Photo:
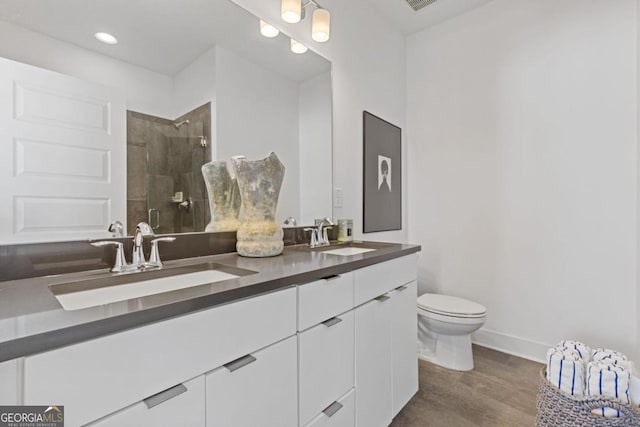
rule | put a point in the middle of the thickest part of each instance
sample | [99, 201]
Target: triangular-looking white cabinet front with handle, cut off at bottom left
[182, 405]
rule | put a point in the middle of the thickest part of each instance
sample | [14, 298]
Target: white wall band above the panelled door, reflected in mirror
[146, 91]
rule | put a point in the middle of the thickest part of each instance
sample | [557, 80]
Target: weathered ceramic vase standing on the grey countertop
[259, 182]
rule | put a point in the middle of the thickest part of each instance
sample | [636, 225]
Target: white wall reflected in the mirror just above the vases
[256, 113]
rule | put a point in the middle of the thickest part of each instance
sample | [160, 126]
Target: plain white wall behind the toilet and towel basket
[522, 118]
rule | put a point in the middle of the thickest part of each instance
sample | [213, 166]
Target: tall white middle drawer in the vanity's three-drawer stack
[326, 357]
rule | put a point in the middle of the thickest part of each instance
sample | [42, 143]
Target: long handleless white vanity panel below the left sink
[101, 376]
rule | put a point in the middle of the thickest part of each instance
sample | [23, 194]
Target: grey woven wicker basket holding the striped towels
[557, 409]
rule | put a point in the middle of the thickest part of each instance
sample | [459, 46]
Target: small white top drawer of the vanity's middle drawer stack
[325, 298]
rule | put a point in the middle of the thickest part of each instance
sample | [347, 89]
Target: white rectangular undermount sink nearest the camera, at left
[95, 292]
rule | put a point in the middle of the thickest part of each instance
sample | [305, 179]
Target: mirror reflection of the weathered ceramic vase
[224, 197]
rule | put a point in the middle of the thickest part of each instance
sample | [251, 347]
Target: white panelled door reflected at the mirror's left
[62, 156]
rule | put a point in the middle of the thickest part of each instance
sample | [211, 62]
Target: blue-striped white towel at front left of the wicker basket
[565, 370]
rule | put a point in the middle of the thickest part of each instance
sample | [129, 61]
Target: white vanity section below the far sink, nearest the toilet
[386, 374]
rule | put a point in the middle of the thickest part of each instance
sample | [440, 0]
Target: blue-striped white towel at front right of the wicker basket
[608, 380]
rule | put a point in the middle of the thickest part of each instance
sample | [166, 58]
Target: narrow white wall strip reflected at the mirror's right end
[315, 136]
